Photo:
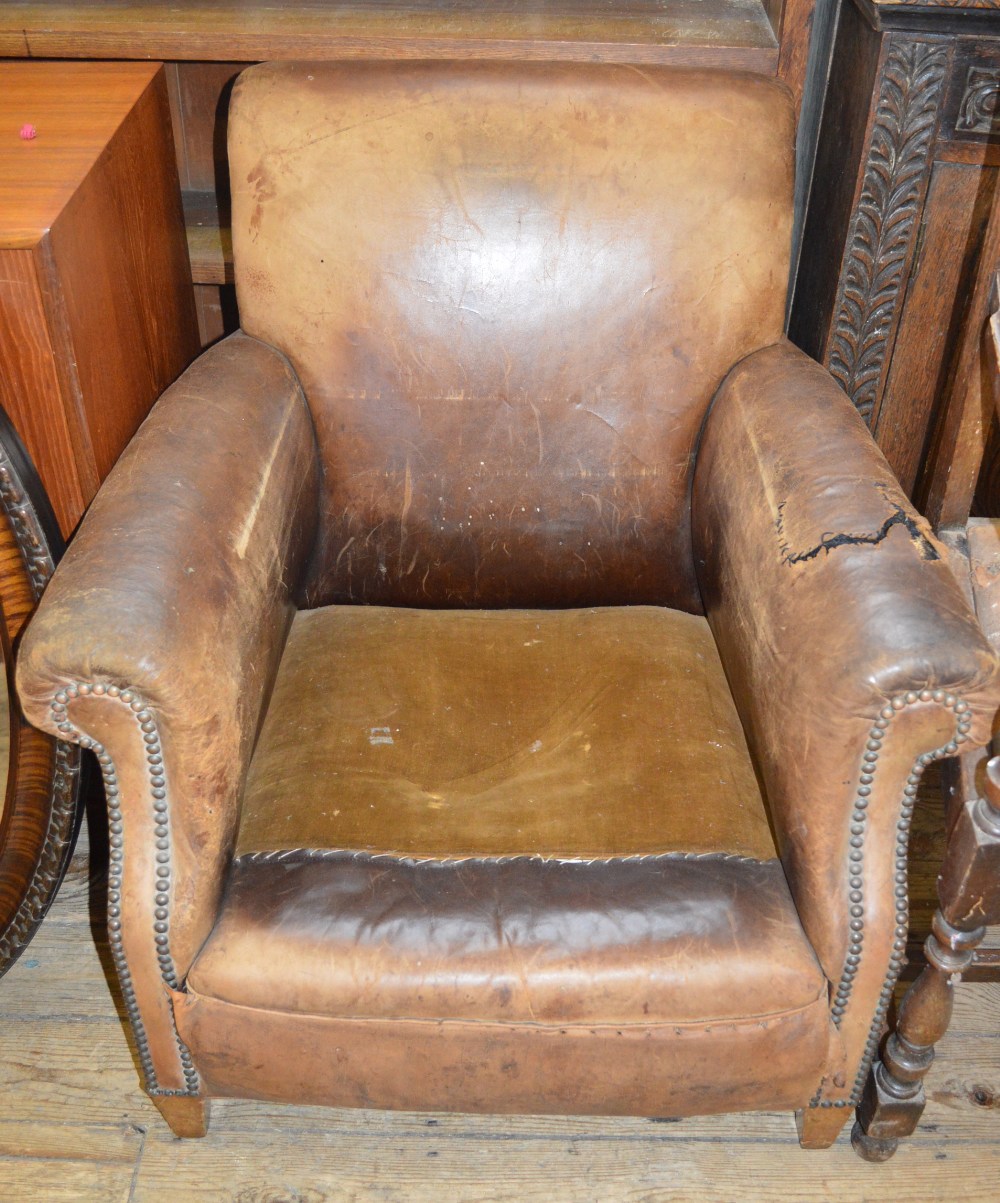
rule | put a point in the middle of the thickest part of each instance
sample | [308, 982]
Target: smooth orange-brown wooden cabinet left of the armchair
[97, 310]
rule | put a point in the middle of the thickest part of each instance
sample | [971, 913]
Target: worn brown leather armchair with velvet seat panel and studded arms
[511, 661]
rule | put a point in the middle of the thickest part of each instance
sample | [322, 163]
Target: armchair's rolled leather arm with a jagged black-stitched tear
[853, 655]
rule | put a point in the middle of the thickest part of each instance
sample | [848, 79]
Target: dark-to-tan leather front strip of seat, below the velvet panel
[659, 941]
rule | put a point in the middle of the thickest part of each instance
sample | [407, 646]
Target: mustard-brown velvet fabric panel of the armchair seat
[581, 733]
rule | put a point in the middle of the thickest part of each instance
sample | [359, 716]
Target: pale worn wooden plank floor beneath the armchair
[75, 1125]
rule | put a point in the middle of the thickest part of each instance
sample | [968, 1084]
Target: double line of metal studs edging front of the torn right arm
[856, 863]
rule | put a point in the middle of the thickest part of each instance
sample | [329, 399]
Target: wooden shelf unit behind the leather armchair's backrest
[206, 44]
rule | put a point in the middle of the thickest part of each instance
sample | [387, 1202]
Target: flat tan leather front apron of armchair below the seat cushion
[528, 1069]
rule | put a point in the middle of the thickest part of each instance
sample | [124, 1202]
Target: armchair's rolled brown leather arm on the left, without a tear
[159, 636]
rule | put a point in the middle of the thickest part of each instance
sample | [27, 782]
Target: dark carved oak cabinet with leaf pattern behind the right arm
[901, 199]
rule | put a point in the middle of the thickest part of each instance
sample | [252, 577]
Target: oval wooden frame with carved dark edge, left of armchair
[42, 809]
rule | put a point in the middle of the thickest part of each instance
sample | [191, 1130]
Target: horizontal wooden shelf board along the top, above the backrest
[696, 33]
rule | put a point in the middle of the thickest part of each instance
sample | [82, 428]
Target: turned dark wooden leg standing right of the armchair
[969, 893]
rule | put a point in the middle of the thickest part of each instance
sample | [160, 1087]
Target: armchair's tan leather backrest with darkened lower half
[510, 292]
